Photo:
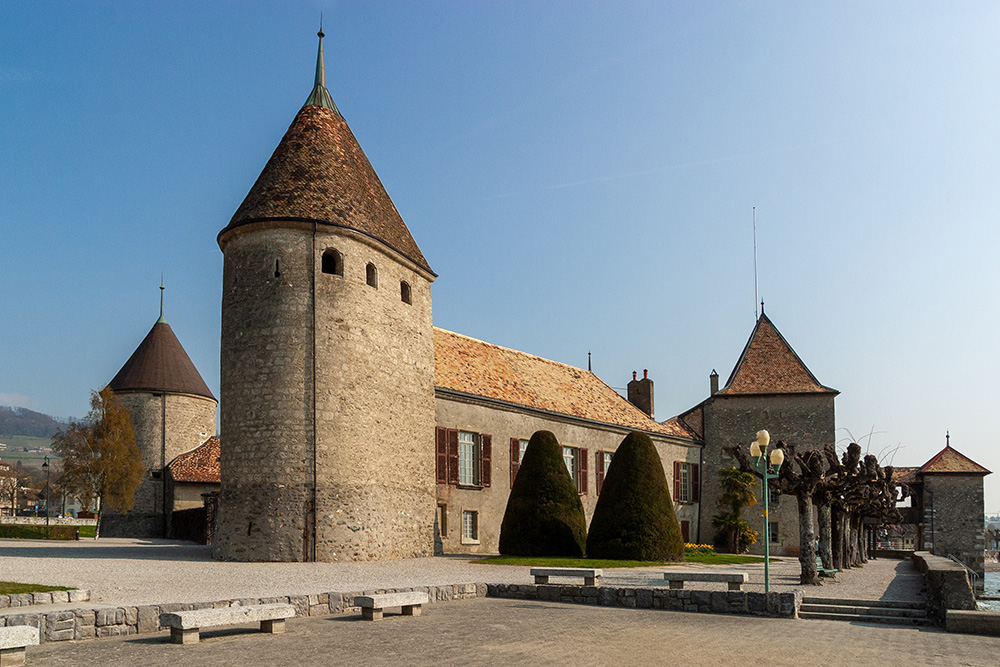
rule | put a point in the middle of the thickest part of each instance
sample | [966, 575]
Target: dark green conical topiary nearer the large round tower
[544, 514]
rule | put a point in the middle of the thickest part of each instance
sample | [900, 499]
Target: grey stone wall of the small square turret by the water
[953, 520]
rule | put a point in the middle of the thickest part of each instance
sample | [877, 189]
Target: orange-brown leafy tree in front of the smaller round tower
[101, 461]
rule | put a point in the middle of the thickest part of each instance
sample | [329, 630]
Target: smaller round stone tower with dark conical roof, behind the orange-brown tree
[173, 411]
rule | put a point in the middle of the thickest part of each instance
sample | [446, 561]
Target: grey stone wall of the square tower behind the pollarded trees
[805, 421]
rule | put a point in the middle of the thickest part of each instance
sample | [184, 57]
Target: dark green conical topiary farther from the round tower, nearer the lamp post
[634, 518]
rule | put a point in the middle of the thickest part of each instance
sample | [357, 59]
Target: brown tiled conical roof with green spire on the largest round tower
[319, 174]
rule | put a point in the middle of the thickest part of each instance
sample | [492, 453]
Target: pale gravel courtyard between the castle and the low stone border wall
[134, 572]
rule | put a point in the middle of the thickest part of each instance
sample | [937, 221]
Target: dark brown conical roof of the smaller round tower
[160, 364]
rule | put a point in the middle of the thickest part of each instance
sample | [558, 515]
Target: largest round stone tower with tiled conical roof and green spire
[327, 362]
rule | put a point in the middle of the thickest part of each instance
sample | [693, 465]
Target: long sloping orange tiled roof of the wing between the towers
[473, 367]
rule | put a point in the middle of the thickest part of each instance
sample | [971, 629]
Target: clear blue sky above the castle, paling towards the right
[581, 175]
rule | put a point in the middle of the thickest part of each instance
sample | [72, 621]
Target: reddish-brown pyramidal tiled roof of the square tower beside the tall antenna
[769, 365]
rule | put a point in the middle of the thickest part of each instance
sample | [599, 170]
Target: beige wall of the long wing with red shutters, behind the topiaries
[504, 422]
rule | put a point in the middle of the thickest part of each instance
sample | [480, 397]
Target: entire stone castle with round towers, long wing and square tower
[353, 429]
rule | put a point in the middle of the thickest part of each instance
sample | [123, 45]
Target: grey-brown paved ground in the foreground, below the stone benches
[490, 631]
